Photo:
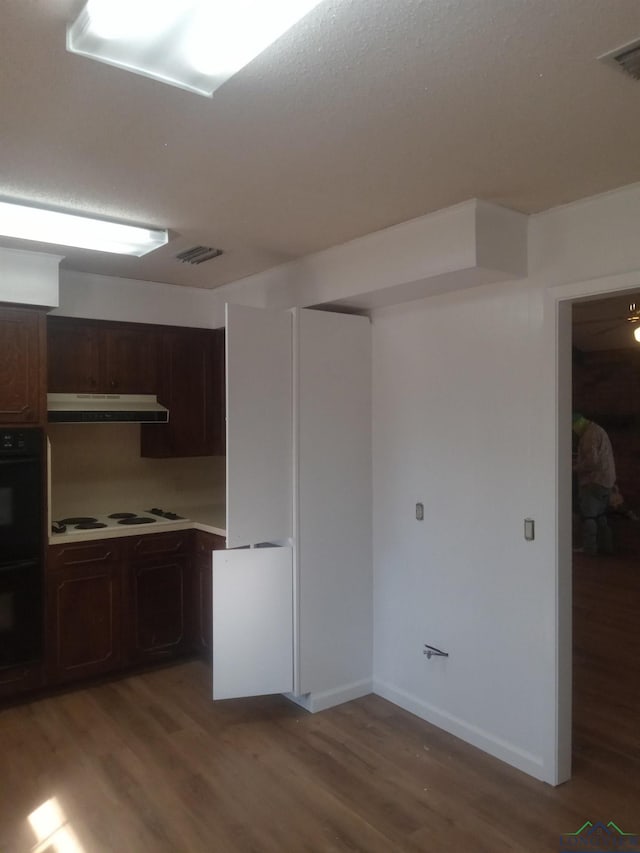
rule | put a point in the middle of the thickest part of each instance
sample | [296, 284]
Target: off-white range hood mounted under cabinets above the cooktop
[106, 409]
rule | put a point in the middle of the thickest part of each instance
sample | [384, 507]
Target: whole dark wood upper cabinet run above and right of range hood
[183, 367]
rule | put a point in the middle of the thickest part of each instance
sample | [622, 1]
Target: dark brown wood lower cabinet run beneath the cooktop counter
[114, 603]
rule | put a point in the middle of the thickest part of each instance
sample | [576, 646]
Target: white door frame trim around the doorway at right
[558, 339]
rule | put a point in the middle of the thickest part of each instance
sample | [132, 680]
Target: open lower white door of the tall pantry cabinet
[252, 622]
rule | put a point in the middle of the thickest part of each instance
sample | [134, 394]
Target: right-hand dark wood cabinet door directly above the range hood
[131, 356]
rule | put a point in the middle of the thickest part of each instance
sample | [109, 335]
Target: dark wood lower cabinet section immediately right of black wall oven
[84, 611]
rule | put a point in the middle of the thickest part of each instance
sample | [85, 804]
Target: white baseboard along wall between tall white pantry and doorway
[499, 748]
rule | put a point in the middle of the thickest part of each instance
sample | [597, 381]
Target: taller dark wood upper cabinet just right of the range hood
[192, 388]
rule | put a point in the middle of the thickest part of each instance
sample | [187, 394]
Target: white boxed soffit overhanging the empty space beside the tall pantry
[468, 245]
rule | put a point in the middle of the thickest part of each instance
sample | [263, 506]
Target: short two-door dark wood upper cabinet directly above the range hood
[90, 356]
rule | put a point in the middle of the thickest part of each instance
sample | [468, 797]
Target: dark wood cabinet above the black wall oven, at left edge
[22, 363]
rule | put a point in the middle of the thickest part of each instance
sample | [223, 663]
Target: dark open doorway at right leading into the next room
[606, 589]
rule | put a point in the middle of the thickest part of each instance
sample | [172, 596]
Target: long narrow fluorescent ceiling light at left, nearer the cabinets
[70, 229]
